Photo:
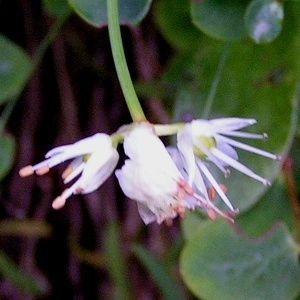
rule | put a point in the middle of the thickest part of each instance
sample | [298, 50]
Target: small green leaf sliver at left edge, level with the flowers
[7, 153]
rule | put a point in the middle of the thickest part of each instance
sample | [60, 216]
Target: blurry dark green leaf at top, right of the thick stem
[174, 22]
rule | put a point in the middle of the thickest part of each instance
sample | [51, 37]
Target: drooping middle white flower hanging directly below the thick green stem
[151, 178]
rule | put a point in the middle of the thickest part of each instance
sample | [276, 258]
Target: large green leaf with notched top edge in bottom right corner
[219, 264]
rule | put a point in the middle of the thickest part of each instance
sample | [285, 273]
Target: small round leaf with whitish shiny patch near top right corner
[264, 20]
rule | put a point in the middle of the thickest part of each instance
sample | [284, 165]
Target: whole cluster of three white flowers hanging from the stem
[164, 184]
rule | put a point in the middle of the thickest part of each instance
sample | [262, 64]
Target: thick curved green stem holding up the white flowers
[131, 98]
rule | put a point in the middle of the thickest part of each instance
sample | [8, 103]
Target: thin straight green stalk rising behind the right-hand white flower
[216, 81]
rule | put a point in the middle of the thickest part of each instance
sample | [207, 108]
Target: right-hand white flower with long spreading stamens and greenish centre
[203, 140]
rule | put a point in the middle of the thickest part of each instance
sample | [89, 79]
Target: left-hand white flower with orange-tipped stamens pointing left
[94, 158]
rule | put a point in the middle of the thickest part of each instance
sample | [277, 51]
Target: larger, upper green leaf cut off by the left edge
[15, 67]
